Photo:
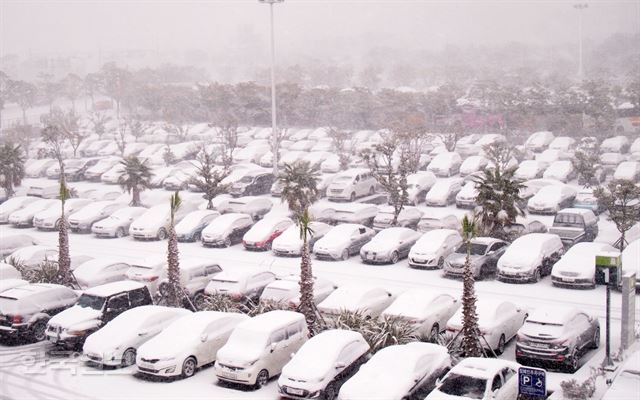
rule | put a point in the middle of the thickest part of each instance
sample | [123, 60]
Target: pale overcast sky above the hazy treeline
[67, 26]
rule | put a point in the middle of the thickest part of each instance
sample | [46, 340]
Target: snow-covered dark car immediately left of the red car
[226, 230]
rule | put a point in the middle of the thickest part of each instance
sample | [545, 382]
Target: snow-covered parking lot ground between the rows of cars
[28, 371]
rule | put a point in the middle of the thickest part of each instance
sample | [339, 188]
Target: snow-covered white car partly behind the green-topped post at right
[577, 268]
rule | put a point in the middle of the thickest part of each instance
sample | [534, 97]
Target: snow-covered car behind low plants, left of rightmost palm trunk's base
[428, 311]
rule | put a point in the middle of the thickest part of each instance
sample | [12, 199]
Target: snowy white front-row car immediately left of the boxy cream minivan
[190, 342]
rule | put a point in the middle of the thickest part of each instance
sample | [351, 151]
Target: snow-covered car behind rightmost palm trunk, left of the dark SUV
[498, 321]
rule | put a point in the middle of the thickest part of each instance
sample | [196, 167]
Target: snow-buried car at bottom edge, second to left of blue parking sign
[398, 372]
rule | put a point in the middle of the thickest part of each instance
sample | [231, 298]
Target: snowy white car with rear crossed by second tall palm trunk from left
[154, 223]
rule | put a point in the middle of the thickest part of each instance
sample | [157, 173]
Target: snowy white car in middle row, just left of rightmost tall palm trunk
[433, 247]
